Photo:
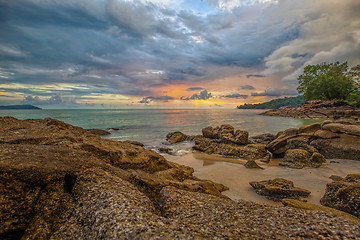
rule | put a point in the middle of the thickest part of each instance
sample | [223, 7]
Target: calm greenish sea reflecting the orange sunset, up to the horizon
[151, 126]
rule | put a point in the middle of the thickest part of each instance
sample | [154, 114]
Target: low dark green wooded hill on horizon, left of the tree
[276, 103]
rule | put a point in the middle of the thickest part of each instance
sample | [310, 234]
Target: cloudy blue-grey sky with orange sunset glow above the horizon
[167, 53]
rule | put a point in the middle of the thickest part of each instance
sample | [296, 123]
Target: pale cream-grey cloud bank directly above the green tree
[328, 32]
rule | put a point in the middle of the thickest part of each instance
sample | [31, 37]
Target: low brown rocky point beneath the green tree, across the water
[318, 110]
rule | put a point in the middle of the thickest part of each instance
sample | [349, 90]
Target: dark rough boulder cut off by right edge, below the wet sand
[344, 195]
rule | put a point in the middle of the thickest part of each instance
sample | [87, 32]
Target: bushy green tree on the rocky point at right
[332, 81]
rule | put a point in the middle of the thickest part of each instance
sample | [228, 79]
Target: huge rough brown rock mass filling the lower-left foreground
[64, 182]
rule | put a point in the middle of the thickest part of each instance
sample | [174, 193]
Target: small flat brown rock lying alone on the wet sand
[279, 188]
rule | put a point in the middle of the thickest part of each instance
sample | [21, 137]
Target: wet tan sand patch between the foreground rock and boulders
[233, 174]
